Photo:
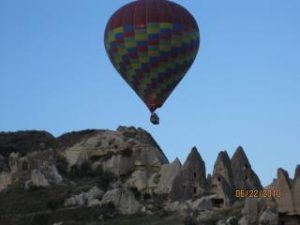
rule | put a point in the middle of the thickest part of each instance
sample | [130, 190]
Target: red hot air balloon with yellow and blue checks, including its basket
[152, 44]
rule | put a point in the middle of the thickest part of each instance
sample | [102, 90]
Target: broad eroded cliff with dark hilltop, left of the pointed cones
[127, 153]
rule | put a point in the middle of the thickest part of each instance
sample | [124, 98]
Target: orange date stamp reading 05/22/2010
[266, 193]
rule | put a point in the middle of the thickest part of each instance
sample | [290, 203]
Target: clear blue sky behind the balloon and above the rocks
[243, 88]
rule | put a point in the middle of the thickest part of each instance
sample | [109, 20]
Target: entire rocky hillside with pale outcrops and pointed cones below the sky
[123, 177]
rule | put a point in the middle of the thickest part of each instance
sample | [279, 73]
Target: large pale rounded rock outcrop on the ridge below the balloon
[130, 153]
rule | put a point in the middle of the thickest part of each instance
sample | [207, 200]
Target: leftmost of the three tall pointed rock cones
[191, 180]
